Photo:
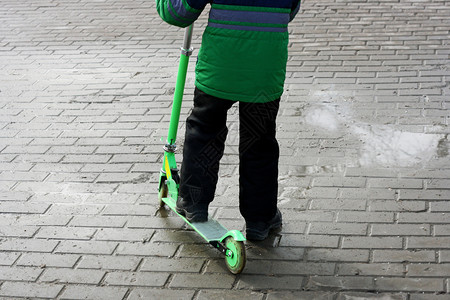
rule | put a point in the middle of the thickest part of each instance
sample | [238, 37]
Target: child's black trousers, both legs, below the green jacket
[204, 144]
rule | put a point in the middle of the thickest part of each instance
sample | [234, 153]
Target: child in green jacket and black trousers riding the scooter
[242, 59]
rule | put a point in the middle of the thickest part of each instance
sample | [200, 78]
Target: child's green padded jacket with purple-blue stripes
[244, 47]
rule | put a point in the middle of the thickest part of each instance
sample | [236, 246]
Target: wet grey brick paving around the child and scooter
[85, 95]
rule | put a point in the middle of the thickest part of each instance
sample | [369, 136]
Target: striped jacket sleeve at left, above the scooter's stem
[180, 13]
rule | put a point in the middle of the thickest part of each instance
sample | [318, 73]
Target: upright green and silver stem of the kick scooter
[186, 51]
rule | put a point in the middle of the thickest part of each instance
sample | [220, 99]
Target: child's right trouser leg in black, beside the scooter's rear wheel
[258, 154]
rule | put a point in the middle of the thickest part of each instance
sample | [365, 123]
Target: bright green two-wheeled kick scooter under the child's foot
[229, 243]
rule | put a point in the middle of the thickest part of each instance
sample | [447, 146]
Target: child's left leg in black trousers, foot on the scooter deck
[204, 144]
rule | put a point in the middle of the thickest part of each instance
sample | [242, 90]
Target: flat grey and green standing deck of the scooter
[211, 230]
